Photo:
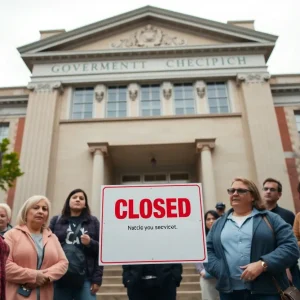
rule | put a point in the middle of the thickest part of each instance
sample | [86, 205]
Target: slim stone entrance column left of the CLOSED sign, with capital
[99, 151]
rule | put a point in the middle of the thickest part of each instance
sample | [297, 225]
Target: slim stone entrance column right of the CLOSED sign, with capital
[206, 169]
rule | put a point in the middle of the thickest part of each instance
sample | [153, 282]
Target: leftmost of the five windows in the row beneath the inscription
[82, 106]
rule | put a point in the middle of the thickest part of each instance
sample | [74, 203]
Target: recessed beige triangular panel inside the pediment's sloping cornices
[150, 34]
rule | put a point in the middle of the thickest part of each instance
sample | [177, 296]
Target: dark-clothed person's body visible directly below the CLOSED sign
[153, 281]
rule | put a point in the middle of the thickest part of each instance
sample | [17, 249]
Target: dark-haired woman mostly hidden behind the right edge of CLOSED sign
[208, 282]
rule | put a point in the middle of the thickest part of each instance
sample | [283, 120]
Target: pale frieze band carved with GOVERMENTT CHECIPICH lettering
[148, 65]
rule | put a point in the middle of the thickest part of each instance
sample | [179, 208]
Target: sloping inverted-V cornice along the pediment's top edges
[147, 11]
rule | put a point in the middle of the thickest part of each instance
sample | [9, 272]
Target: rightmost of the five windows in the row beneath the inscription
[217, 98]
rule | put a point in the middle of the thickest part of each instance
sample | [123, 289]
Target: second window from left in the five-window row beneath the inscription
[116, 102]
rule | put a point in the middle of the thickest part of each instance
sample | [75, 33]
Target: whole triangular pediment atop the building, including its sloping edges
[131, 29]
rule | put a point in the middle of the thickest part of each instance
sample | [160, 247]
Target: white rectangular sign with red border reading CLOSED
[152, 224]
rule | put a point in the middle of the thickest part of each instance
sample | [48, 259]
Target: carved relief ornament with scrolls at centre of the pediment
[149, 36]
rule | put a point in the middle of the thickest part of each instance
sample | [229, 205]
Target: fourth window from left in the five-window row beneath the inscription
[184, 99]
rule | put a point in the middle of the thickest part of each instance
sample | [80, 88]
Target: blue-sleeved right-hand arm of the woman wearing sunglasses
[286, 252]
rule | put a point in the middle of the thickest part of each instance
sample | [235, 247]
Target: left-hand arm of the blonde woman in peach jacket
[14, 272]
